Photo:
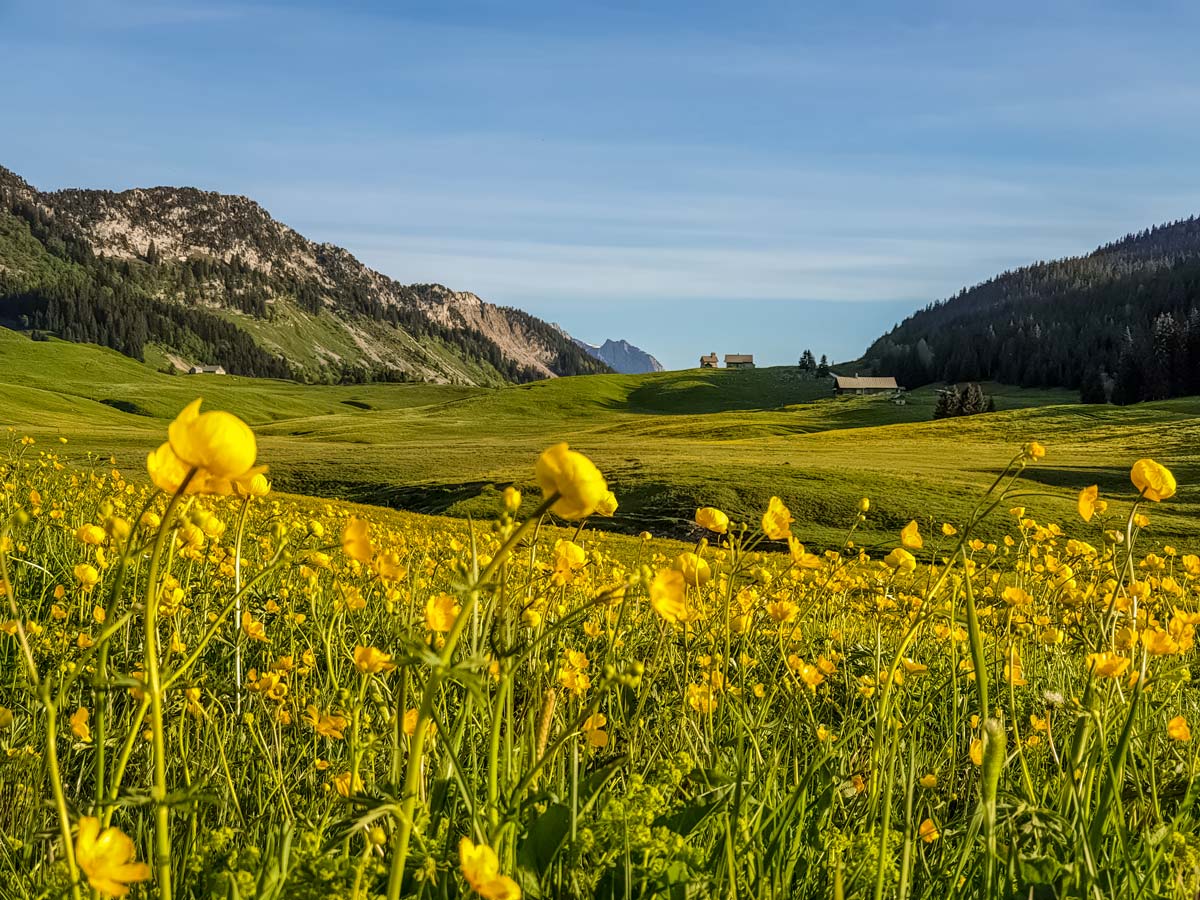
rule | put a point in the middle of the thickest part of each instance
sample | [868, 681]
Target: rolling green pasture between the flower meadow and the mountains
[669, 442]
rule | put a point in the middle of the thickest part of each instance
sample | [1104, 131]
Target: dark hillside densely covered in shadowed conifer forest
[1121, 323]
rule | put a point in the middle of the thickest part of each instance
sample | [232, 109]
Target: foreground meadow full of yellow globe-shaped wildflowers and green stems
[212, 691]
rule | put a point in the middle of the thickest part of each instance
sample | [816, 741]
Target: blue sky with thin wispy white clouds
[694, 177]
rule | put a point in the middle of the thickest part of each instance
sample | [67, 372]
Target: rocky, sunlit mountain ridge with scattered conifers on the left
[205, 278]
